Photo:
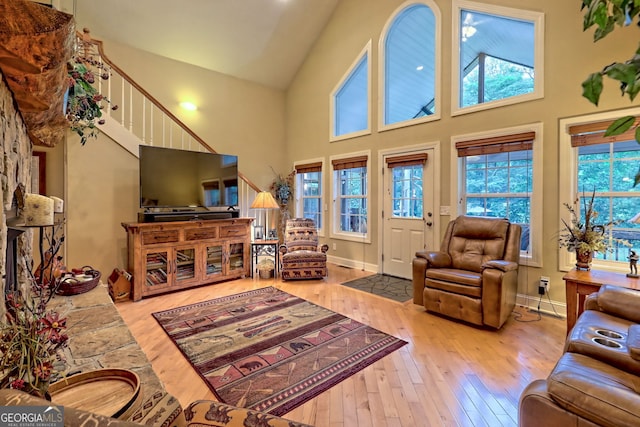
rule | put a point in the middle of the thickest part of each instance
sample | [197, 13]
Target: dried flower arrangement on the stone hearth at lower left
[32, 335]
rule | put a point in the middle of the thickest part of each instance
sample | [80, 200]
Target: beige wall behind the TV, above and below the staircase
[234, 117]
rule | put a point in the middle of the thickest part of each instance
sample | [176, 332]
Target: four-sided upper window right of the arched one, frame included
[499, 56]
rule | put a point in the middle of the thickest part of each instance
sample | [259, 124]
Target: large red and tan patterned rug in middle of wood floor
[271, 351]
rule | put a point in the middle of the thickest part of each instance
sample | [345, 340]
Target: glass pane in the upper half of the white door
[406, 198]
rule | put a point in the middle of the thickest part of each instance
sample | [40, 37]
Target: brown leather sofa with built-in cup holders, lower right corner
[596, 381]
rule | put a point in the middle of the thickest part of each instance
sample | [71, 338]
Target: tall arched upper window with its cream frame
[410, 56]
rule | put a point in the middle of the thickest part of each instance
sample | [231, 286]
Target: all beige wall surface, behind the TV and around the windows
[266, 127]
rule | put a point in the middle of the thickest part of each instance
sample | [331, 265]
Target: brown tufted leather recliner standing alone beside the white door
[474, 276]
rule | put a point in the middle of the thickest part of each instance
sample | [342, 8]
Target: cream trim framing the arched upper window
[437, 67]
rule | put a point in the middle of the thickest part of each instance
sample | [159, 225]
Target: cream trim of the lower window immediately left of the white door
[334, 231]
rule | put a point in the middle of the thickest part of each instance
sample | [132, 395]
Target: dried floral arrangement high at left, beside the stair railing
[84, 102]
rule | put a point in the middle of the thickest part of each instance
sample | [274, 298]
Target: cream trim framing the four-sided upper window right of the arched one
[519, 14]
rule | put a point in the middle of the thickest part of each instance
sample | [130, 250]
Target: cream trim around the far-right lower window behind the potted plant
[568, 175]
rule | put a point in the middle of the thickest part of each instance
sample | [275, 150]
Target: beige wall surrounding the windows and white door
[570, 56]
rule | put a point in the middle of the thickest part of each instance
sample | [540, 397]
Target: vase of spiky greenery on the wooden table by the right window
[584, 235]
